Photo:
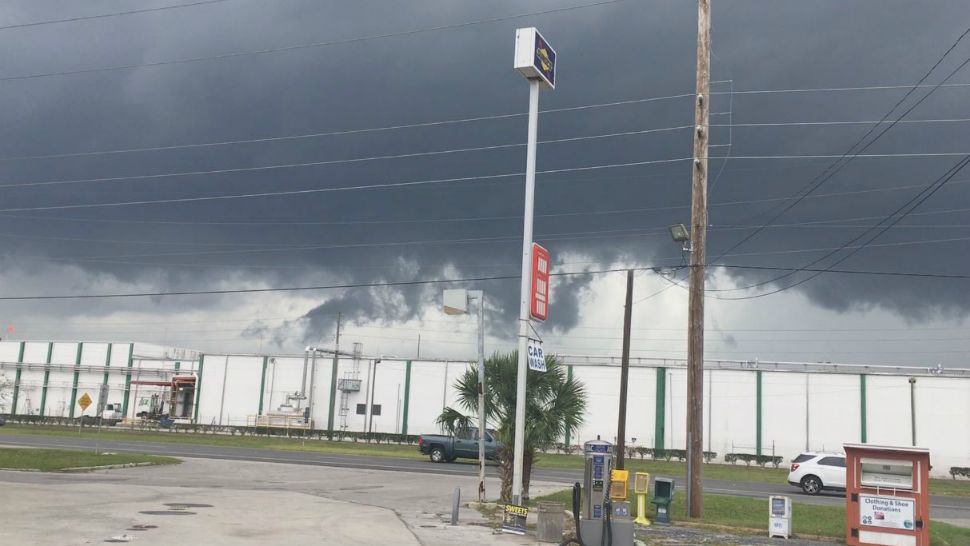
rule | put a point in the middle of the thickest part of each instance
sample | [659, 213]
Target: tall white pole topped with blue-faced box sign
[536, 61]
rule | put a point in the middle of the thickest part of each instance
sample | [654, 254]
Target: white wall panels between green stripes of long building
[834, 400]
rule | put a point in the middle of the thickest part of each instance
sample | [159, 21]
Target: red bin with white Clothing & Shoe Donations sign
[887, 497]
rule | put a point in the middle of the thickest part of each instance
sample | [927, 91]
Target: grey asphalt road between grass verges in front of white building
[955, 509]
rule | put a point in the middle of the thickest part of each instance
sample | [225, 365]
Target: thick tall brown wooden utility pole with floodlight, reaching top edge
[698, 235]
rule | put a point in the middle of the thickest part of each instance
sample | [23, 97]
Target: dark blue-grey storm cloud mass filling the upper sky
[629, 50]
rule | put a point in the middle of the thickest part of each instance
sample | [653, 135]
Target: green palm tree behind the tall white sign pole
[555, 406]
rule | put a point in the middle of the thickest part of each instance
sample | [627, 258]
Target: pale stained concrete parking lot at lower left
[244, 503]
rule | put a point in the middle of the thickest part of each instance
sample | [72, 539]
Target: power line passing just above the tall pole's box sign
[295, 47]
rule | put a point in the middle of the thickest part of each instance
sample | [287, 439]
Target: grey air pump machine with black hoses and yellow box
[606, 518]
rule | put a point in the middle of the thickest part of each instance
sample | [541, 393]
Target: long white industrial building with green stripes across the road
[750, 407]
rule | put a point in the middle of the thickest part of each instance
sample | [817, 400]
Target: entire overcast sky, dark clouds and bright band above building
[610, 216]
